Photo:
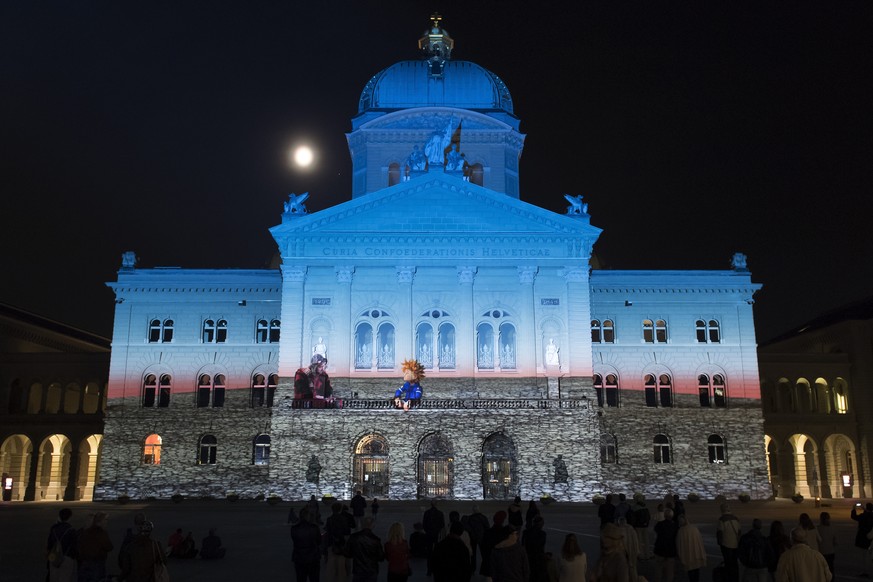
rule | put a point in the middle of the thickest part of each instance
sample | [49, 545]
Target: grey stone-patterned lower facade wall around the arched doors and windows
[539, 433]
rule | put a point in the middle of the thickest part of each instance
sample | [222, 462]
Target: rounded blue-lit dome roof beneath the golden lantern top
[432, 83]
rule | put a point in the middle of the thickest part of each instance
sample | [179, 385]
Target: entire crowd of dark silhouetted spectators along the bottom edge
[510, 546]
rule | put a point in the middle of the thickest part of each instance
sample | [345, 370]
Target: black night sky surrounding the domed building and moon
[693, 132]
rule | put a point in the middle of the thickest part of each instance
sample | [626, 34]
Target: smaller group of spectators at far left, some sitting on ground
[80, 555]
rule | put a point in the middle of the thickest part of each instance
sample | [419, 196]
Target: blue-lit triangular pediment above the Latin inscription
[437, 204]
